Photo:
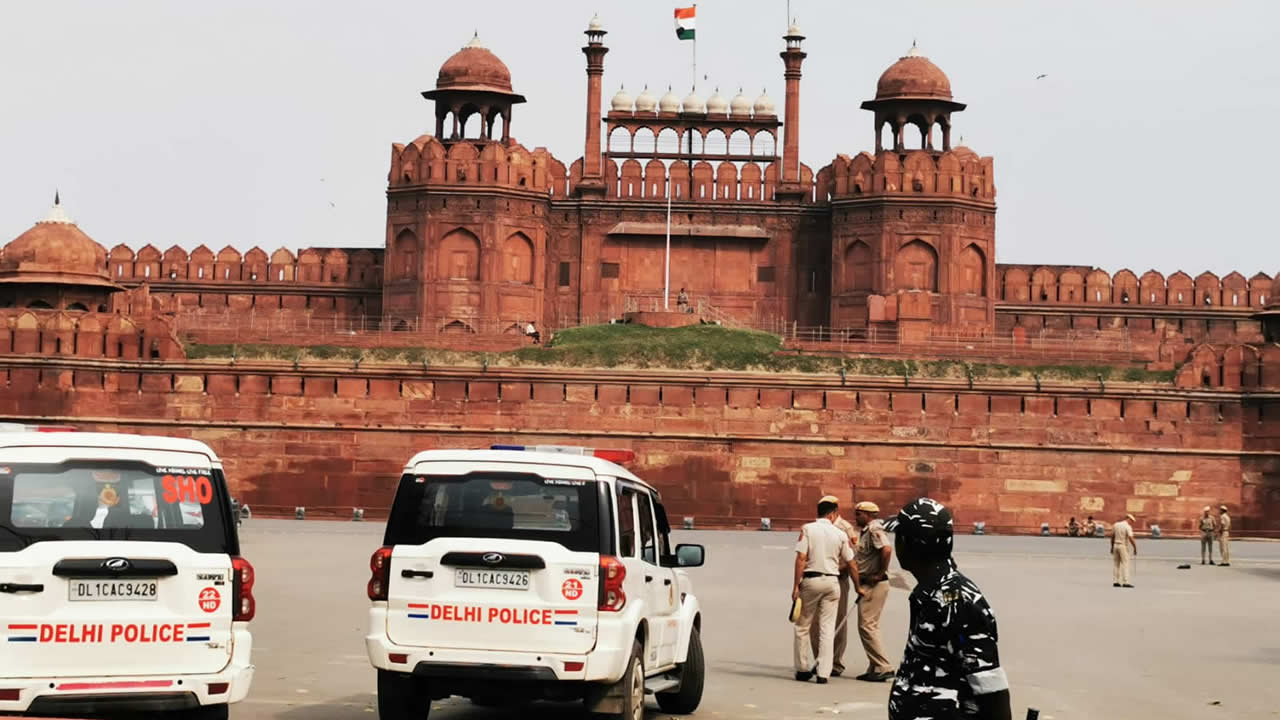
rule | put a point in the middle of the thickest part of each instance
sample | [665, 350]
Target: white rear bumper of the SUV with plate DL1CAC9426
[463, 667]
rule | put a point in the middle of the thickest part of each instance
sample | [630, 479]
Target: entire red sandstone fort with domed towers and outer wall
[890, 253]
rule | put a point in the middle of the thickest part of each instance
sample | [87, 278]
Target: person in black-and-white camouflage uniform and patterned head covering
[950, 669]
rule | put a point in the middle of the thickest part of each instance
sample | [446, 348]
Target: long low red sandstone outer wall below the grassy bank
[726, 449]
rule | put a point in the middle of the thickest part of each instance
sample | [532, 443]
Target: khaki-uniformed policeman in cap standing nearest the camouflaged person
[872, 555]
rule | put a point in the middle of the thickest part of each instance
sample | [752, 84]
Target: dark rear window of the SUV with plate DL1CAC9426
[496, 505]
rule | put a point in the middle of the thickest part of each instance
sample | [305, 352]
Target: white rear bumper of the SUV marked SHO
[134, 694]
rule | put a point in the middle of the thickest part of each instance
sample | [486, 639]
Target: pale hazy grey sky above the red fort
[1153, 143]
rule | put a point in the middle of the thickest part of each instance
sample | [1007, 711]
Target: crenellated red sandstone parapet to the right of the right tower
[1069, 285]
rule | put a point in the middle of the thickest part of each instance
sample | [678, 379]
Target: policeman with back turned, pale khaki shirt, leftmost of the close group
[822, 552]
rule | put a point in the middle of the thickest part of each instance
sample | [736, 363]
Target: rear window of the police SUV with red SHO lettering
[116, 502]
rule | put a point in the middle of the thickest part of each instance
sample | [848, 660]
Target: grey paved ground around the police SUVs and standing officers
[1186, 644]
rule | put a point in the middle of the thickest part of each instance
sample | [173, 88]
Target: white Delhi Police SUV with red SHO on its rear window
[122, 589]
